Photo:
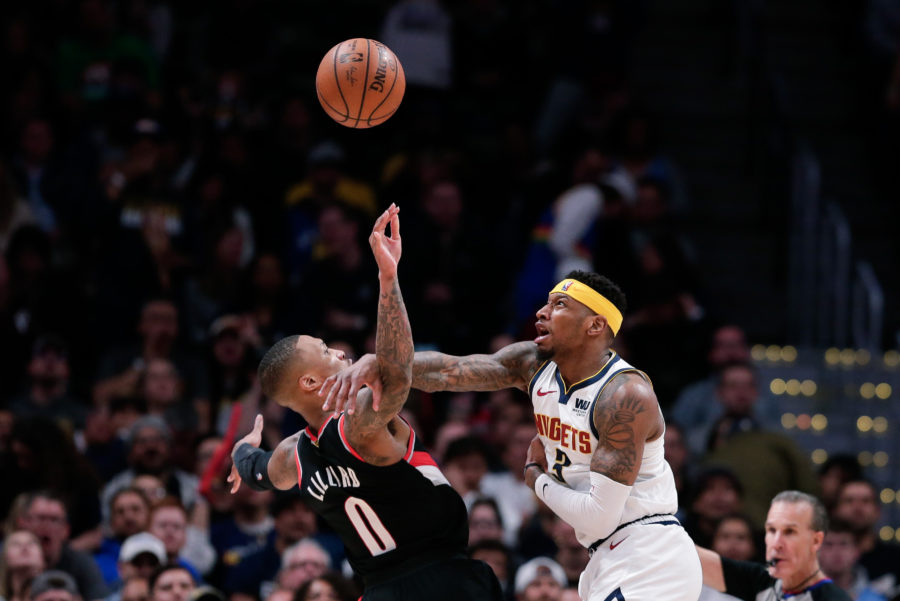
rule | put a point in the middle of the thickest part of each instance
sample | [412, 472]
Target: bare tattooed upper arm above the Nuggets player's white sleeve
[625, 415]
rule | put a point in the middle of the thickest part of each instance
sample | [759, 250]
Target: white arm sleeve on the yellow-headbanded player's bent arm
[594, 514]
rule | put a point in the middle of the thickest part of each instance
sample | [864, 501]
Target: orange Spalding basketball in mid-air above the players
[360, 83]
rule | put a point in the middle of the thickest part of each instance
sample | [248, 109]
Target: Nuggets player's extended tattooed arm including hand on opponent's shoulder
[510, 367]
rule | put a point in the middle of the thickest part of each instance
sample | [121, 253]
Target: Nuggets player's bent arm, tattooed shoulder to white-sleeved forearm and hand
[625, 415]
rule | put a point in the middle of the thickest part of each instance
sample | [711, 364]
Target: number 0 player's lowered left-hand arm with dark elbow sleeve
[261, 470]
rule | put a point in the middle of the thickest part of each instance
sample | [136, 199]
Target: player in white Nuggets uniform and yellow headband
[597, 461]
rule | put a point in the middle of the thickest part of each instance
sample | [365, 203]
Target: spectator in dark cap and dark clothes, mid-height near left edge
[46, 392]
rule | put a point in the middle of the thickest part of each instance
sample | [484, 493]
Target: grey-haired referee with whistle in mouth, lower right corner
[795, 528]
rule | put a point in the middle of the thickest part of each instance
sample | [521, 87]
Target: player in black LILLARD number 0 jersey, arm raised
[404, 528]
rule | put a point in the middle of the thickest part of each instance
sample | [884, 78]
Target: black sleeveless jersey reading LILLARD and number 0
[391, 518]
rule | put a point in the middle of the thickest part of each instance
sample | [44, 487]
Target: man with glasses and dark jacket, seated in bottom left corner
[48, 519]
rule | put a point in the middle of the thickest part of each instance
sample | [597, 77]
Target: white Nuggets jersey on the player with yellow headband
[566, 427]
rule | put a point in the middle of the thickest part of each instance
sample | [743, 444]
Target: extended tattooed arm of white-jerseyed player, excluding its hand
[511, 367]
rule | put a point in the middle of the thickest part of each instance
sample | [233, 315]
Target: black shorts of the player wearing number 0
[453, 579]
